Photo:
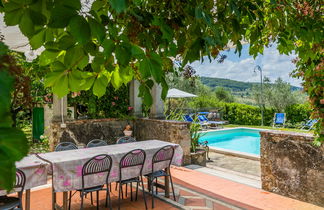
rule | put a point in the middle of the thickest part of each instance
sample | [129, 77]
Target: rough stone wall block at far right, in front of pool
[292, 166]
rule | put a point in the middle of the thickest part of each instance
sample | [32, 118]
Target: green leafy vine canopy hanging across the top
[114, 41]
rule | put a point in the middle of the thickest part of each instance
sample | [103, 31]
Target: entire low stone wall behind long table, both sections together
[82, 131]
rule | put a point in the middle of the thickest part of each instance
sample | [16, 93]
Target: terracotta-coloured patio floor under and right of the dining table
[195, 191]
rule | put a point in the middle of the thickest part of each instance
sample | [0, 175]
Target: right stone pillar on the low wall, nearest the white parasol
[157, 108]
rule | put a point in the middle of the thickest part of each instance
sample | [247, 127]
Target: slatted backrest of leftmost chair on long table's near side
[97, 164]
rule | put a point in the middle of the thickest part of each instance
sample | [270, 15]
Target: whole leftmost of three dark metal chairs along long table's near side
[97, 164]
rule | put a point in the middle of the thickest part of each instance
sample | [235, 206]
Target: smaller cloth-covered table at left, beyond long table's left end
[36, 171]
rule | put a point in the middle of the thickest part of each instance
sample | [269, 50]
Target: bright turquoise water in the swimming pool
[241, 140]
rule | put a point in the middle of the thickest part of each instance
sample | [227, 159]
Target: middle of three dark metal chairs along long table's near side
[134, 158]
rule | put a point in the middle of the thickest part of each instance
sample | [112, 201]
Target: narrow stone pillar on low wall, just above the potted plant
[134, 100]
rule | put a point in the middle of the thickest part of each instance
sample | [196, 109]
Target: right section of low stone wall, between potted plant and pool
[165, 130]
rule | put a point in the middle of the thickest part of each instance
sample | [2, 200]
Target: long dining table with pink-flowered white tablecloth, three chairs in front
[67, 165]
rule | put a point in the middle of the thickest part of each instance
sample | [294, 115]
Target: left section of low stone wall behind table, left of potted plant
[83, 131]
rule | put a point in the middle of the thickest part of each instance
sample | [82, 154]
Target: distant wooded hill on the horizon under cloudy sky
[235, 86]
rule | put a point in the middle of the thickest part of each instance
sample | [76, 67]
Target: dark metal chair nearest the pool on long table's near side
[162, 156]
